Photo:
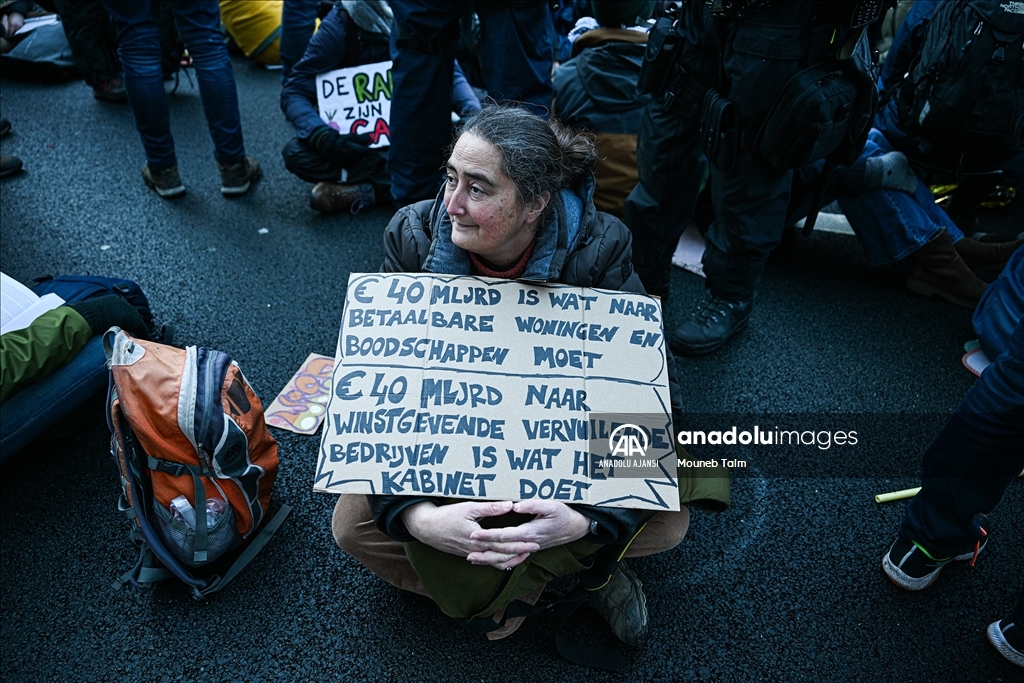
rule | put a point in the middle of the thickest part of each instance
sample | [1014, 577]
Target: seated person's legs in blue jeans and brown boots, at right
[897, 220]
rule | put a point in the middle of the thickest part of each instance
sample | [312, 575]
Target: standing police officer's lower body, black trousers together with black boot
[748, 58]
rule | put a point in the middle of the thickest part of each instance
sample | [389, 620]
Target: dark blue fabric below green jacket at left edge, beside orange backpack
[29, 413]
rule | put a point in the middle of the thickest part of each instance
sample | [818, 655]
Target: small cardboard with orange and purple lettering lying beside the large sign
[302, 406]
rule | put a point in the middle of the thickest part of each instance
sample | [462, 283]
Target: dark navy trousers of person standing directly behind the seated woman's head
[516, 63]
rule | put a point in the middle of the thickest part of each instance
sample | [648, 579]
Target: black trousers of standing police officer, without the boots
[750, 61]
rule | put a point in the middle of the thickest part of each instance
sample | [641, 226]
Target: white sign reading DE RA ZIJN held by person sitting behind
[358, 100]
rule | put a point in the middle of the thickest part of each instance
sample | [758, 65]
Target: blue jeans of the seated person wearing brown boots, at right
[892, 225]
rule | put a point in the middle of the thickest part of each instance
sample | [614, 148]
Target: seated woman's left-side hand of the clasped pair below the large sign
[453, 529]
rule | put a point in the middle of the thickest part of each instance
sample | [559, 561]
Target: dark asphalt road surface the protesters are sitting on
[786, 586]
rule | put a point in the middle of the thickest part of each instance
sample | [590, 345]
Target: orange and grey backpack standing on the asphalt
[196, 459]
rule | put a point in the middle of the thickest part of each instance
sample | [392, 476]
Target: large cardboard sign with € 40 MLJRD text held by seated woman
[494, 390]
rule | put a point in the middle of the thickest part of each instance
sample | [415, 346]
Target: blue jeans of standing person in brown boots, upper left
[139, 48]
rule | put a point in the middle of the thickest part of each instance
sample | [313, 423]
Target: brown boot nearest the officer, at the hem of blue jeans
[940, 271]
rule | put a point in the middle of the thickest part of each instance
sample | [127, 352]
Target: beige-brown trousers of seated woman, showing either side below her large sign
[355, 533]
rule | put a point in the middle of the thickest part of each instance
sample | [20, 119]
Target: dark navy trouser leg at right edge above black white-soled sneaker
[973, 460]
